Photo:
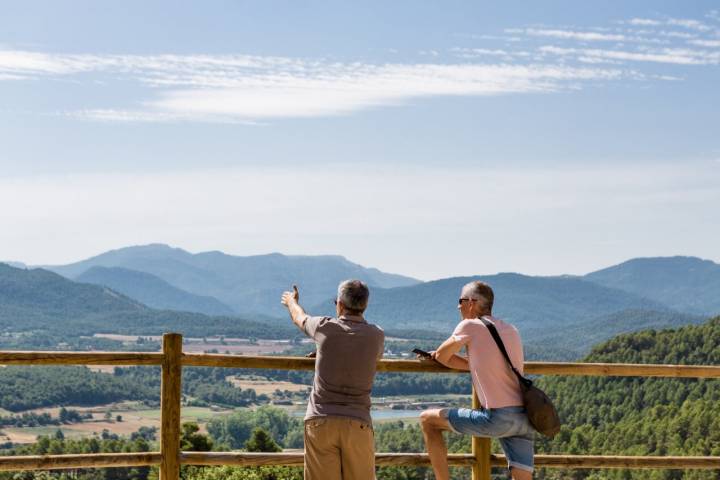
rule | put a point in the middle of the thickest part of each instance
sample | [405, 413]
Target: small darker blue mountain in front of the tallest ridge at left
[152, 291]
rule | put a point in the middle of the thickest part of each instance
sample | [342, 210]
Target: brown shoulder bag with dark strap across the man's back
[540, 410]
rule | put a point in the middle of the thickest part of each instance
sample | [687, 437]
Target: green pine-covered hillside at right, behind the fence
[642, 416]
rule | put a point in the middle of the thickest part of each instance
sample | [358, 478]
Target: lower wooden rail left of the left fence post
[92, 460]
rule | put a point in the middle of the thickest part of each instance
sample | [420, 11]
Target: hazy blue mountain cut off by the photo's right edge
[687, 284]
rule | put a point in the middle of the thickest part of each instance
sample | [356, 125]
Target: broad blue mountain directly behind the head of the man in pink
[555, 315]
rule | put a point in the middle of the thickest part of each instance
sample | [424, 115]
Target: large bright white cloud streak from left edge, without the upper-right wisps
[240, 88]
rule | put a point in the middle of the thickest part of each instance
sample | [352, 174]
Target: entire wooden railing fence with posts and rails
[170, 458]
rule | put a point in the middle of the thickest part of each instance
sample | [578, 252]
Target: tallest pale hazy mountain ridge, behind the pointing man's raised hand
[249, 285]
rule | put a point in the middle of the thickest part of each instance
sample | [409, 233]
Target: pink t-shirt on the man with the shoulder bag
[496, 385]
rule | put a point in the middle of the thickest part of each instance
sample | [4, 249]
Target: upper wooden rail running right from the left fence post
[531, 368]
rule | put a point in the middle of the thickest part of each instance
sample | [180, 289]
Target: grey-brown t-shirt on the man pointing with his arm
[348, 349]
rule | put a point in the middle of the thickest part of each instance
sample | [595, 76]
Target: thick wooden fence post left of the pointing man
[170, 395]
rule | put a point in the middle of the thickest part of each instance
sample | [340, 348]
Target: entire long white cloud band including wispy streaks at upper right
[250, 88]
